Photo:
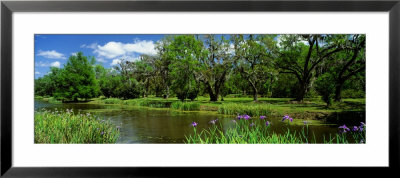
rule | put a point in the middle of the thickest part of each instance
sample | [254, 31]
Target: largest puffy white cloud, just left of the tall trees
[114, 49]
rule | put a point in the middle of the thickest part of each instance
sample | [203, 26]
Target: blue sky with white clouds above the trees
[54, 50]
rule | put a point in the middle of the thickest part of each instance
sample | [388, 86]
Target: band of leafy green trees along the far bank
[293, 66]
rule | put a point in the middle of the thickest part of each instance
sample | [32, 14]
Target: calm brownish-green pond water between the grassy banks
[150, 125]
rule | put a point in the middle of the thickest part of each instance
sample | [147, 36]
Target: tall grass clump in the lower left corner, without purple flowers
[67, 127]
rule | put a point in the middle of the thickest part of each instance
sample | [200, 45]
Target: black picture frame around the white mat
[8, 7]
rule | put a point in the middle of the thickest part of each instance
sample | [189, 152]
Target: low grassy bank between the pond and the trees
[310, 108]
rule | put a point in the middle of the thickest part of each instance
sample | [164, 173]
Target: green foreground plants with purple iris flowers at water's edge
[244, 131]
